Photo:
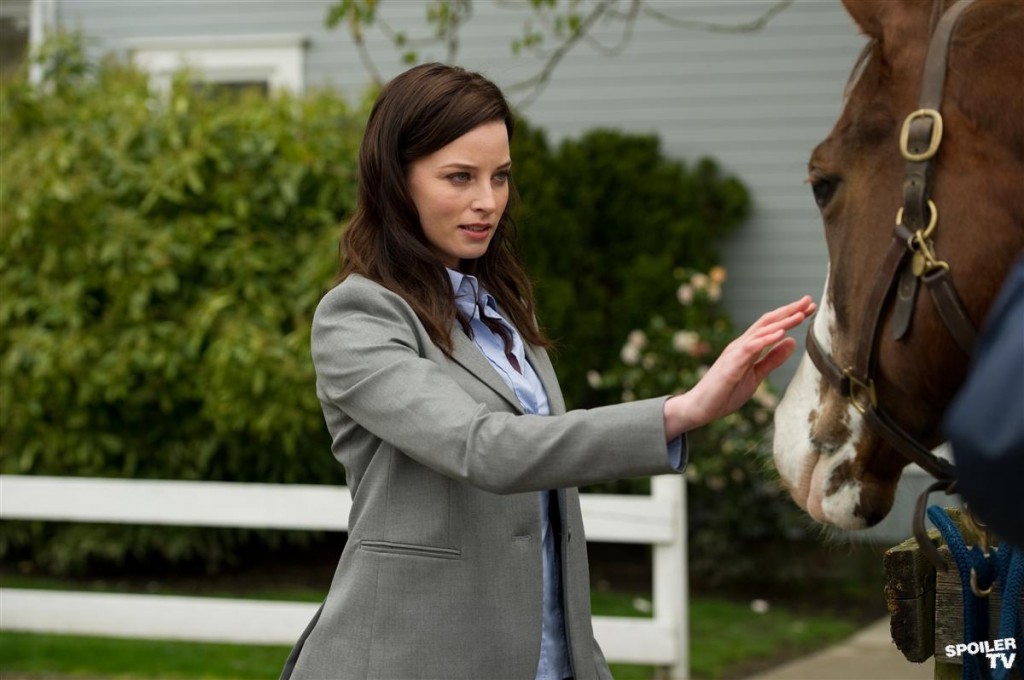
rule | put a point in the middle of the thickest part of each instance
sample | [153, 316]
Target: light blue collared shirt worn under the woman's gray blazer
[473, 301]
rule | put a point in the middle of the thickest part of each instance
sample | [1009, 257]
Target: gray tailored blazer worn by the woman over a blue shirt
[441, 577]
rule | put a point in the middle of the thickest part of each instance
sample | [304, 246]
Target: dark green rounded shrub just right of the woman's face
[606, 221]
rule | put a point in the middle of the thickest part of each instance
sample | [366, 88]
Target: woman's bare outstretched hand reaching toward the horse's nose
[738, 372]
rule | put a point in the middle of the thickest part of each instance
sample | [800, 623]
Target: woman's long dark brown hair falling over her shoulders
[418, 113]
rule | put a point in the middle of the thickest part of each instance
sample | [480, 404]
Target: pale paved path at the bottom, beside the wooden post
[869, 655]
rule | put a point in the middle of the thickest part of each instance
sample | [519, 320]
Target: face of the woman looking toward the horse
[461, 191]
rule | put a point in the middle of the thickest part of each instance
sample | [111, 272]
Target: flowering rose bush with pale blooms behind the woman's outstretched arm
[739, 518]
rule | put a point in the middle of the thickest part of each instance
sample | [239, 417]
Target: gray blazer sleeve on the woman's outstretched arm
[370, 365]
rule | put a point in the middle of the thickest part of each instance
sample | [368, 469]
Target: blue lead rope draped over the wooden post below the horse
[1003, 567]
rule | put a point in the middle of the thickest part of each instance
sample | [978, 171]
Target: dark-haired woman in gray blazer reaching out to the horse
[466, 557]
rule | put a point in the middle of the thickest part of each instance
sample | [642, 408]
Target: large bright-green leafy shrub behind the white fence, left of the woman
[161, 259]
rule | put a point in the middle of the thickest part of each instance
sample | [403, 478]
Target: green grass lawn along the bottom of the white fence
[724, 636]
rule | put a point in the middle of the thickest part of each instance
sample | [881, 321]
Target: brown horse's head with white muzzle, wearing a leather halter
[836, 467]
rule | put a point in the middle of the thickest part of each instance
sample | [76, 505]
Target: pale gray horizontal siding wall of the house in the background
[758, 103]
